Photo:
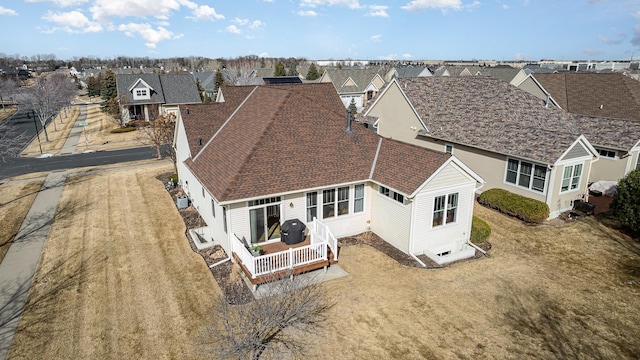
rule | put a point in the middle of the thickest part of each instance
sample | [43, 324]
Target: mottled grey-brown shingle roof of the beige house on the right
[490, 114]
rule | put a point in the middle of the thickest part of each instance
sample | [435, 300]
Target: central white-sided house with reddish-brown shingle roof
[262, 155]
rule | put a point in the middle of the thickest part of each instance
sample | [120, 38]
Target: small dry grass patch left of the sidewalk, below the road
[15, 200]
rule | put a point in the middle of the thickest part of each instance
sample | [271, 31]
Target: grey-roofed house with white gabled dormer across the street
[145, 96]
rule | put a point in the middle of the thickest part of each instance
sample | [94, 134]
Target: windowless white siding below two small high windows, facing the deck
[391, 220]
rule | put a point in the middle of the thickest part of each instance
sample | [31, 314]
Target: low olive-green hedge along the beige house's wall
[524, 208]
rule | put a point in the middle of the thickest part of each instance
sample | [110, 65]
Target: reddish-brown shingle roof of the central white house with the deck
[284, 138]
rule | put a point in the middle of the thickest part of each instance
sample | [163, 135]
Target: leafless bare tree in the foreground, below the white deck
[276, 325]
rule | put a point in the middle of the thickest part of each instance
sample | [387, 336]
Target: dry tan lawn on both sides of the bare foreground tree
[118, 280]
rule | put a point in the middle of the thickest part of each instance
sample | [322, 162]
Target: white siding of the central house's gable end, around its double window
[448, 237]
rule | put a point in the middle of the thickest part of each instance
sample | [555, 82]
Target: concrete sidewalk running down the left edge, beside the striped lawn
[20, 262]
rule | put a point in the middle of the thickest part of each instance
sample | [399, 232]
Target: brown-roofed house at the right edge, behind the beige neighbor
[610, 104]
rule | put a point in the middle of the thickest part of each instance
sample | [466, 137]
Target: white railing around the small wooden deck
[321, 240]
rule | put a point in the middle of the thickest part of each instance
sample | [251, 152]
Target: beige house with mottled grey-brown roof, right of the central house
[504, 134]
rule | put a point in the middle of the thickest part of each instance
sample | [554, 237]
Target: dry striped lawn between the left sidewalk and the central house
[117, 278]
